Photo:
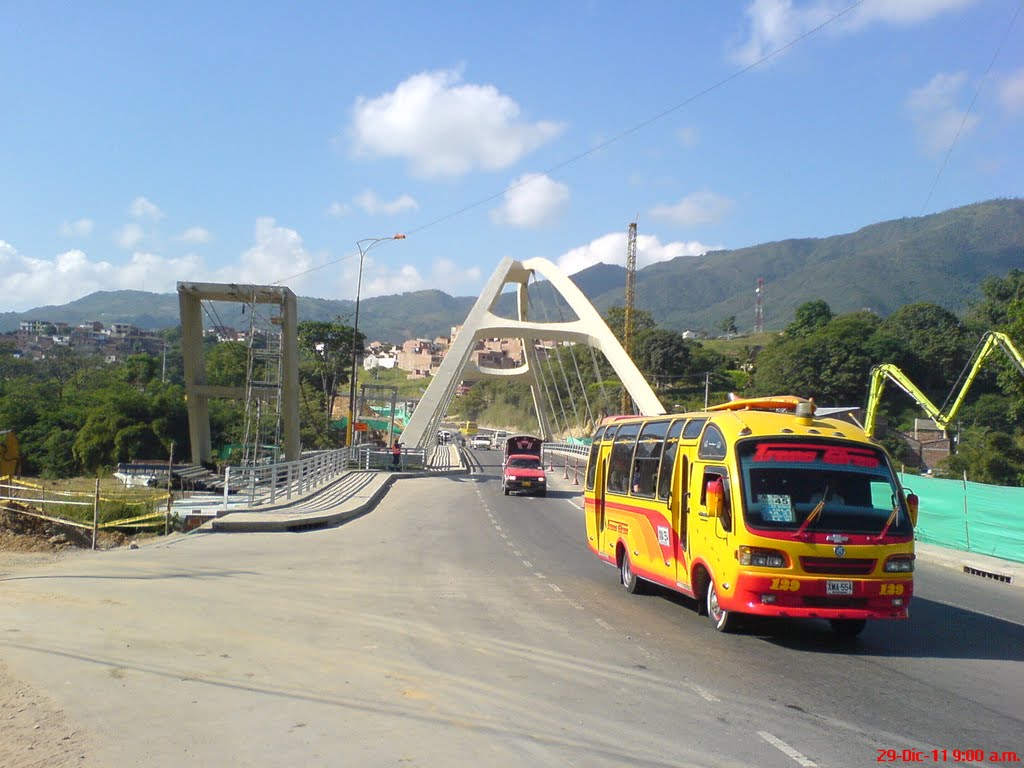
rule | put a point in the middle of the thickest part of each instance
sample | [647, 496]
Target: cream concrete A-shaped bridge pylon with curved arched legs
[589, 328]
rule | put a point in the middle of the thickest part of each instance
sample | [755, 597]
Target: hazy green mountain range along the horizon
[941, 259]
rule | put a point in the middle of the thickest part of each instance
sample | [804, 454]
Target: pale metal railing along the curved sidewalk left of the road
[270, 484]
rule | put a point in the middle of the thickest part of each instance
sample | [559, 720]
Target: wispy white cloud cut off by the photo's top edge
[775, 24]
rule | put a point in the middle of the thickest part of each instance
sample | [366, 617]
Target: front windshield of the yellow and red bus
[785, 482]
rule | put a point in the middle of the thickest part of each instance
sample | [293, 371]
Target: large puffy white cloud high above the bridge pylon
[445, 127]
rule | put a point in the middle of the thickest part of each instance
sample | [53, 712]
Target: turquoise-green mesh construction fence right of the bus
[970, 517]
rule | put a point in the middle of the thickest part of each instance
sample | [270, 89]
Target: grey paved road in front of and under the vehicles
[457, 627]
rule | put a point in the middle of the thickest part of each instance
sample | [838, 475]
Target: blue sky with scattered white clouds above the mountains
[146, 144]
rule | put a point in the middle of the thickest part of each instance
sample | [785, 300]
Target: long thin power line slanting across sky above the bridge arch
[610, 142]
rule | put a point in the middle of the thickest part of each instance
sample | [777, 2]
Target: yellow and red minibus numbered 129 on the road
[755, 507]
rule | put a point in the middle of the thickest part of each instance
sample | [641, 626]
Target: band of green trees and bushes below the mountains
[78, 416]
